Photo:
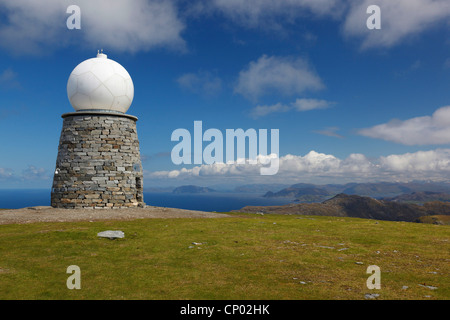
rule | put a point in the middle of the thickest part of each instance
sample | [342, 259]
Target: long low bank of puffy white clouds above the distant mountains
[321, 167]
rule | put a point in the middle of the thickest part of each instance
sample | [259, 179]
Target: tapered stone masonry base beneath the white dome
[98, 163]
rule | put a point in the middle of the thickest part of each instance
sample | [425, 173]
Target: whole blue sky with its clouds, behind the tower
[351, 104]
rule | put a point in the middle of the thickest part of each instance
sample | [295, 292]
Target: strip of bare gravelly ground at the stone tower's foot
[49, 214]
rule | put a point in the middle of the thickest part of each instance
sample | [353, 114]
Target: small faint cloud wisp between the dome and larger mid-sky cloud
[202, 82]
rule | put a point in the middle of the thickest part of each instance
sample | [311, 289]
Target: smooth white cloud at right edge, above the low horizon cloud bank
[427, 130]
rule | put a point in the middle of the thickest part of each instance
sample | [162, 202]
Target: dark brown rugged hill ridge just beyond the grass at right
[343, 205]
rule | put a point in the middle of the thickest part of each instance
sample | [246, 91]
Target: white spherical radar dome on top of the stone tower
[100, 84]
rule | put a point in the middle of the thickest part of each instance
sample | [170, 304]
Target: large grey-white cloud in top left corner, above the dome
[41, 25]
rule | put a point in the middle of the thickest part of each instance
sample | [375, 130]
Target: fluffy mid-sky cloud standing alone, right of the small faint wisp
[286, 76]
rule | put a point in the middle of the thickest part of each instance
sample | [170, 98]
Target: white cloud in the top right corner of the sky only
[400, 19]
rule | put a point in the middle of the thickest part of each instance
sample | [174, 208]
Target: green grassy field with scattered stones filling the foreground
[242, 257]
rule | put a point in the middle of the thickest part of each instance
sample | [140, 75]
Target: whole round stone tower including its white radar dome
[98, 163]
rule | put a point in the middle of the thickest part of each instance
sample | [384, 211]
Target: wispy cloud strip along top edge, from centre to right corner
[401, 19]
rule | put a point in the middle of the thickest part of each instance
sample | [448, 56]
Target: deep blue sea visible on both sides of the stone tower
[214, 201]
